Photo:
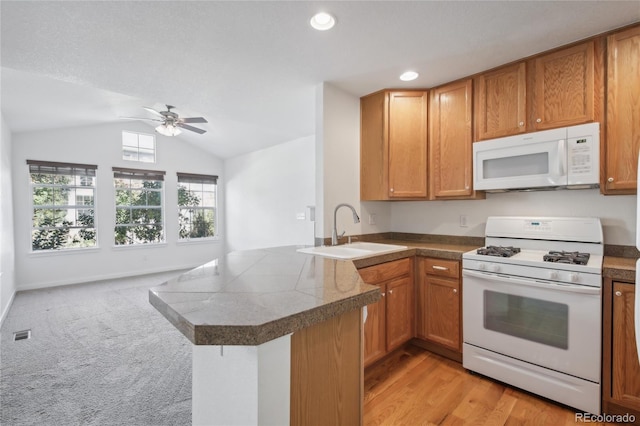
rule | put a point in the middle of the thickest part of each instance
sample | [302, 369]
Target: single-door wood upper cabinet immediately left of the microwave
[450, 141]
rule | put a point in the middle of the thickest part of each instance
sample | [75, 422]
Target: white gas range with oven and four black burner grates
[532, 307]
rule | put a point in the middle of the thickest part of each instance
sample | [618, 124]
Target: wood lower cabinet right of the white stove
[621, 369]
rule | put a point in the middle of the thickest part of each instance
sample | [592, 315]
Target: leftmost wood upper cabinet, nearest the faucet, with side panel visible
[393, 145]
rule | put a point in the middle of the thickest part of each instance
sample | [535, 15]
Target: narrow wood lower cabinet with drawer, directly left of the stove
[438, 306]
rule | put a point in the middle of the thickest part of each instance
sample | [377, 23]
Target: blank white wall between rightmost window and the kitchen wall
[265, 191]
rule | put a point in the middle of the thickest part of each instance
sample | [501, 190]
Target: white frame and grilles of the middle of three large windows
[143, 176]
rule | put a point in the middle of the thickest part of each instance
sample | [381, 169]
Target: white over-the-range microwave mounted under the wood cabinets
[568, 157]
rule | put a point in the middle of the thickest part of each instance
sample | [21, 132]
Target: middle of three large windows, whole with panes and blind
[139, 201]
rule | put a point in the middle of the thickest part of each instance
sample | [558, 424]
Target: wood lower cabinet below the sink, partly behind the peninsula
[389, 322]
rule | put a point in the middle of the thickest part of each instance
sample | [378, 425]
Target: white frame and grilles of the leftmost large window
[35, 167]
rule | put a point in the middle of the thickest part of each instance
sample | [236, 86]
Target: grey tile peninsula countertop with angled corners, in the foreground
[254, 296]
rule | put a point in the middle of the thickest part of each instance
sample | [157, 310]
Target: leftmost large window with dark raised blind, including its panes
[63, 200]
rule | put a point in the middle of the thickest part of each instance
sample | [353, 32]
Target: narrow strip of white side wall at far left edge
[7, 258]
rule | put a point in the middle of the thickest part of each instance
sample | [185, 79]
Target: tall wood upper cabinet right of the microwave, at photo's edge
[620, 153]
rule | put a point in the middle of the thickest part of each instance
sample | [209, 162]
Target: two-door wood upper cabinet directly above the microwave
[548, 91]
